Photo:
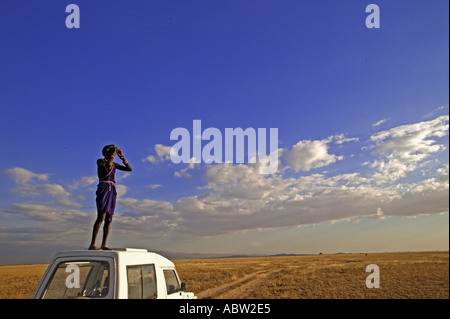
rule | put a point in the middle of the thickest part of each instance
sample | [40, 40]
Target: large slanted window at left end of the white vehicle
[79, 279]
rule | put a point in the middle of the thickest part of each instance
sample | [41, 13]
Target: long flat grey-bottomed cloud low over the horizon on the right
[287, 202]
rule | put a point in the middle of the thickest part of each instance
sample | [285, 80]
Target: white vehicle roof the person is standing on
[127, 256]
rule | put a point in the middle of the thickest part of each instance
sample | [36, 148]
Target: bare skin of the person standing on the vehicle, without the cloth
[102, 173]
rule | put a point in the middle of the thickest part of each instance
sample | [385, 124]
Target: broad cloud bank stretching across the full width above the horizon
[237, 198]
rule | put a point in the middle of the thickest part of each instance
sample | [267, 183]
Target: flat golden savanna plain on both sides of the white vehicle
[403, 275]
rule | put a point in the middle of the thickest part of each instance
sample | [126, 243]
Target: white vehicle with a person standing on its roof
[111, 274]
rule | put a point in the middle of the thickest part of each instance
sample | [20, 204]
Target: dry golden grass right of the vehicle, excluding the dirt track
[402, 275]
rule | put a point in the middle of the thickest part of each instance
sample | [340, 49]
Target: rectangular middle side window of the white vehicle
[141, 282]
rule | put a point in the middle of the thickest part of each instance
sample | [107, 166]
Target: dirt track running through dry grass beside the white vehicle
[239, 289]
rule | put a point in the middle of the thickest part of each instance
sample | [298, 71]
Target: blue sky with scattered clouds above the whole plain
[362, 118]
